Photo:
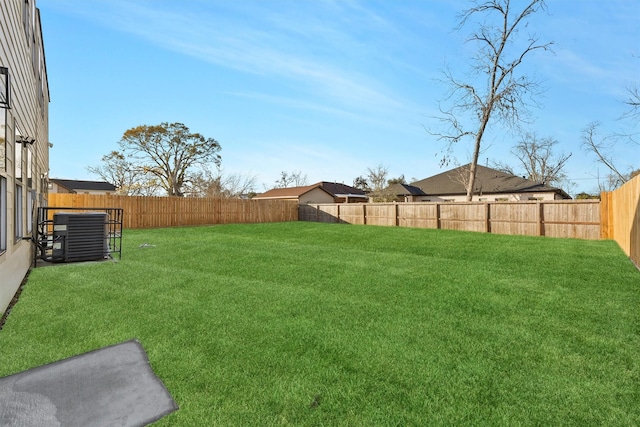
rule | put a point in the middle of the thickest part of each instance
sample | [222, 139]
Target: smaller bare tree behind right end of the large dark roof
[537, 158]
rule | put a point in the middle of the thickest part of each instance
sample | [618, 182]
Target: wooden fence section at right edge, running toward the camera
[621, 218]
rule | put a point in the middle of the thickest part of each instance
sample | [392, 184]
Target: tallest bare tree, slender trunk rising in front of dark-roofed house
[500, 91]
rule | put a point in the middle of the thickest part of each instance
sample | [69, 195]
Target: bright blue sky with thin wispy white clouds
[328, 88]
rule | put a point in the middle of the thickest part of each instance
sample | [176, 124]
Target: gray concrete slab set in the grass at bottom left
[111, 386]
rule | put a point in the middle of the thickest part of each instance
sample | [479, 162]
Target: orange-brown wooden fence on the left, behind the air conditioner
[155, 212]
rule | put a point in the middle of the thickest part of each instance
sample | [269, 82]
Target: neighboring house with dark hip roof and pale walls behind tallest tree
[490, 185]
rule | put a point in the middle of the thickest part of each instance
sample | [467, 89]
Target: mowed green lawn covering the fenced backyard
[325, 324]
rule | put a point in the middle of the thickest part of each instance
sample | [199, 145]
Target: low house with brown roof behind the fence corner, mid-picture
[321, 192]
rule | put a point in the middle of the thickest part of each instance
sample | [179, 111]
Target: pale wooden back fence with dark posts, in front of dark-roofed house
[562, 218]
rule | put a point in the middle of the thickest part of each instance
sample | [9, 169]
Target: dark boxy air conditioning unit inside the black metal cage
[80, 236]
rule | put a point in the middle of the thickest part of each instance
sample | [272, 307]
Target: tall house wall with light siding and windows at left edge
[24, 139]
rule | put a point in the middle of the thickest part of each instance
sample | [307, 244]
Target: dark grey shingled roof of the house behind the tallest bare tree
[487, 181]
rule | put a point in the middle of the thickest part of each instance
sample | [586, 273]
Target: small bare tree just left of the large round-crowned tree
[129, 179]
